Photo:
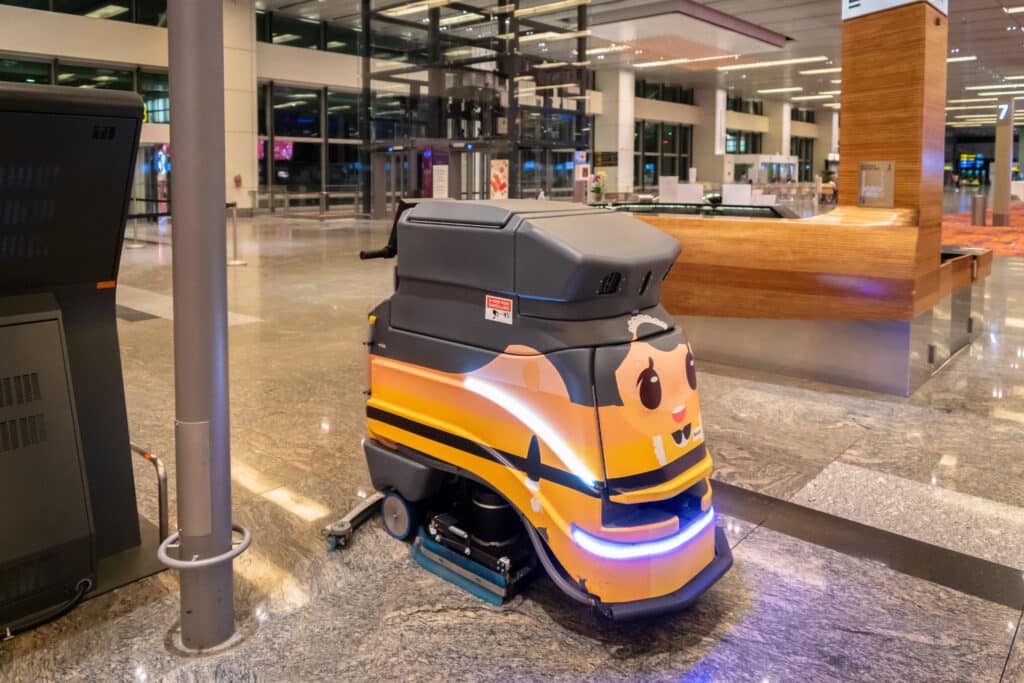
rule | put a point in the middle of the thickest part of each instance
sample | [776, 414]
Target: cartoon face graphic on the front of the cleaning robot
[658, 388]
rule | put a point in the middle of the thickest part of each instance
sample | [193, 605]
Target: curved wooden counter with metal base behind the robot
[862, 297]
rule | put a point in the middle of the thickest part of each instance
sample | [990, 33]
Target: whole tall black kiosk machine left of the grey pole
[69, 523]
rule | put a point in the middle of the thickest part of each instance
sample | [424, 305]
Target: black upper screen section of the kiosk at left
[67, 162]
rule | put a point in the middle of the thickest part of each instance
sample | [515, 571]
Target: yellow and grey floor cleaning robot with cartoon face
[531, 404]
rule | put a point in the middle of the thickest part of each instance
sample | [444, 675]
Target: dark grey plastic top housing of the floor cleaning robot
[561, 261]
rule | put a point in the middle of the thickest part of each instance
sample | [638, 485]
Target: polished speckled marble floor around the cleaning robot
[944, 467]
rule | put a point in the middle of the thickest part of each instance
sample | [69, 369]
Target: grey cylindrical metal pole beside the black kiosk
[202, 434]
